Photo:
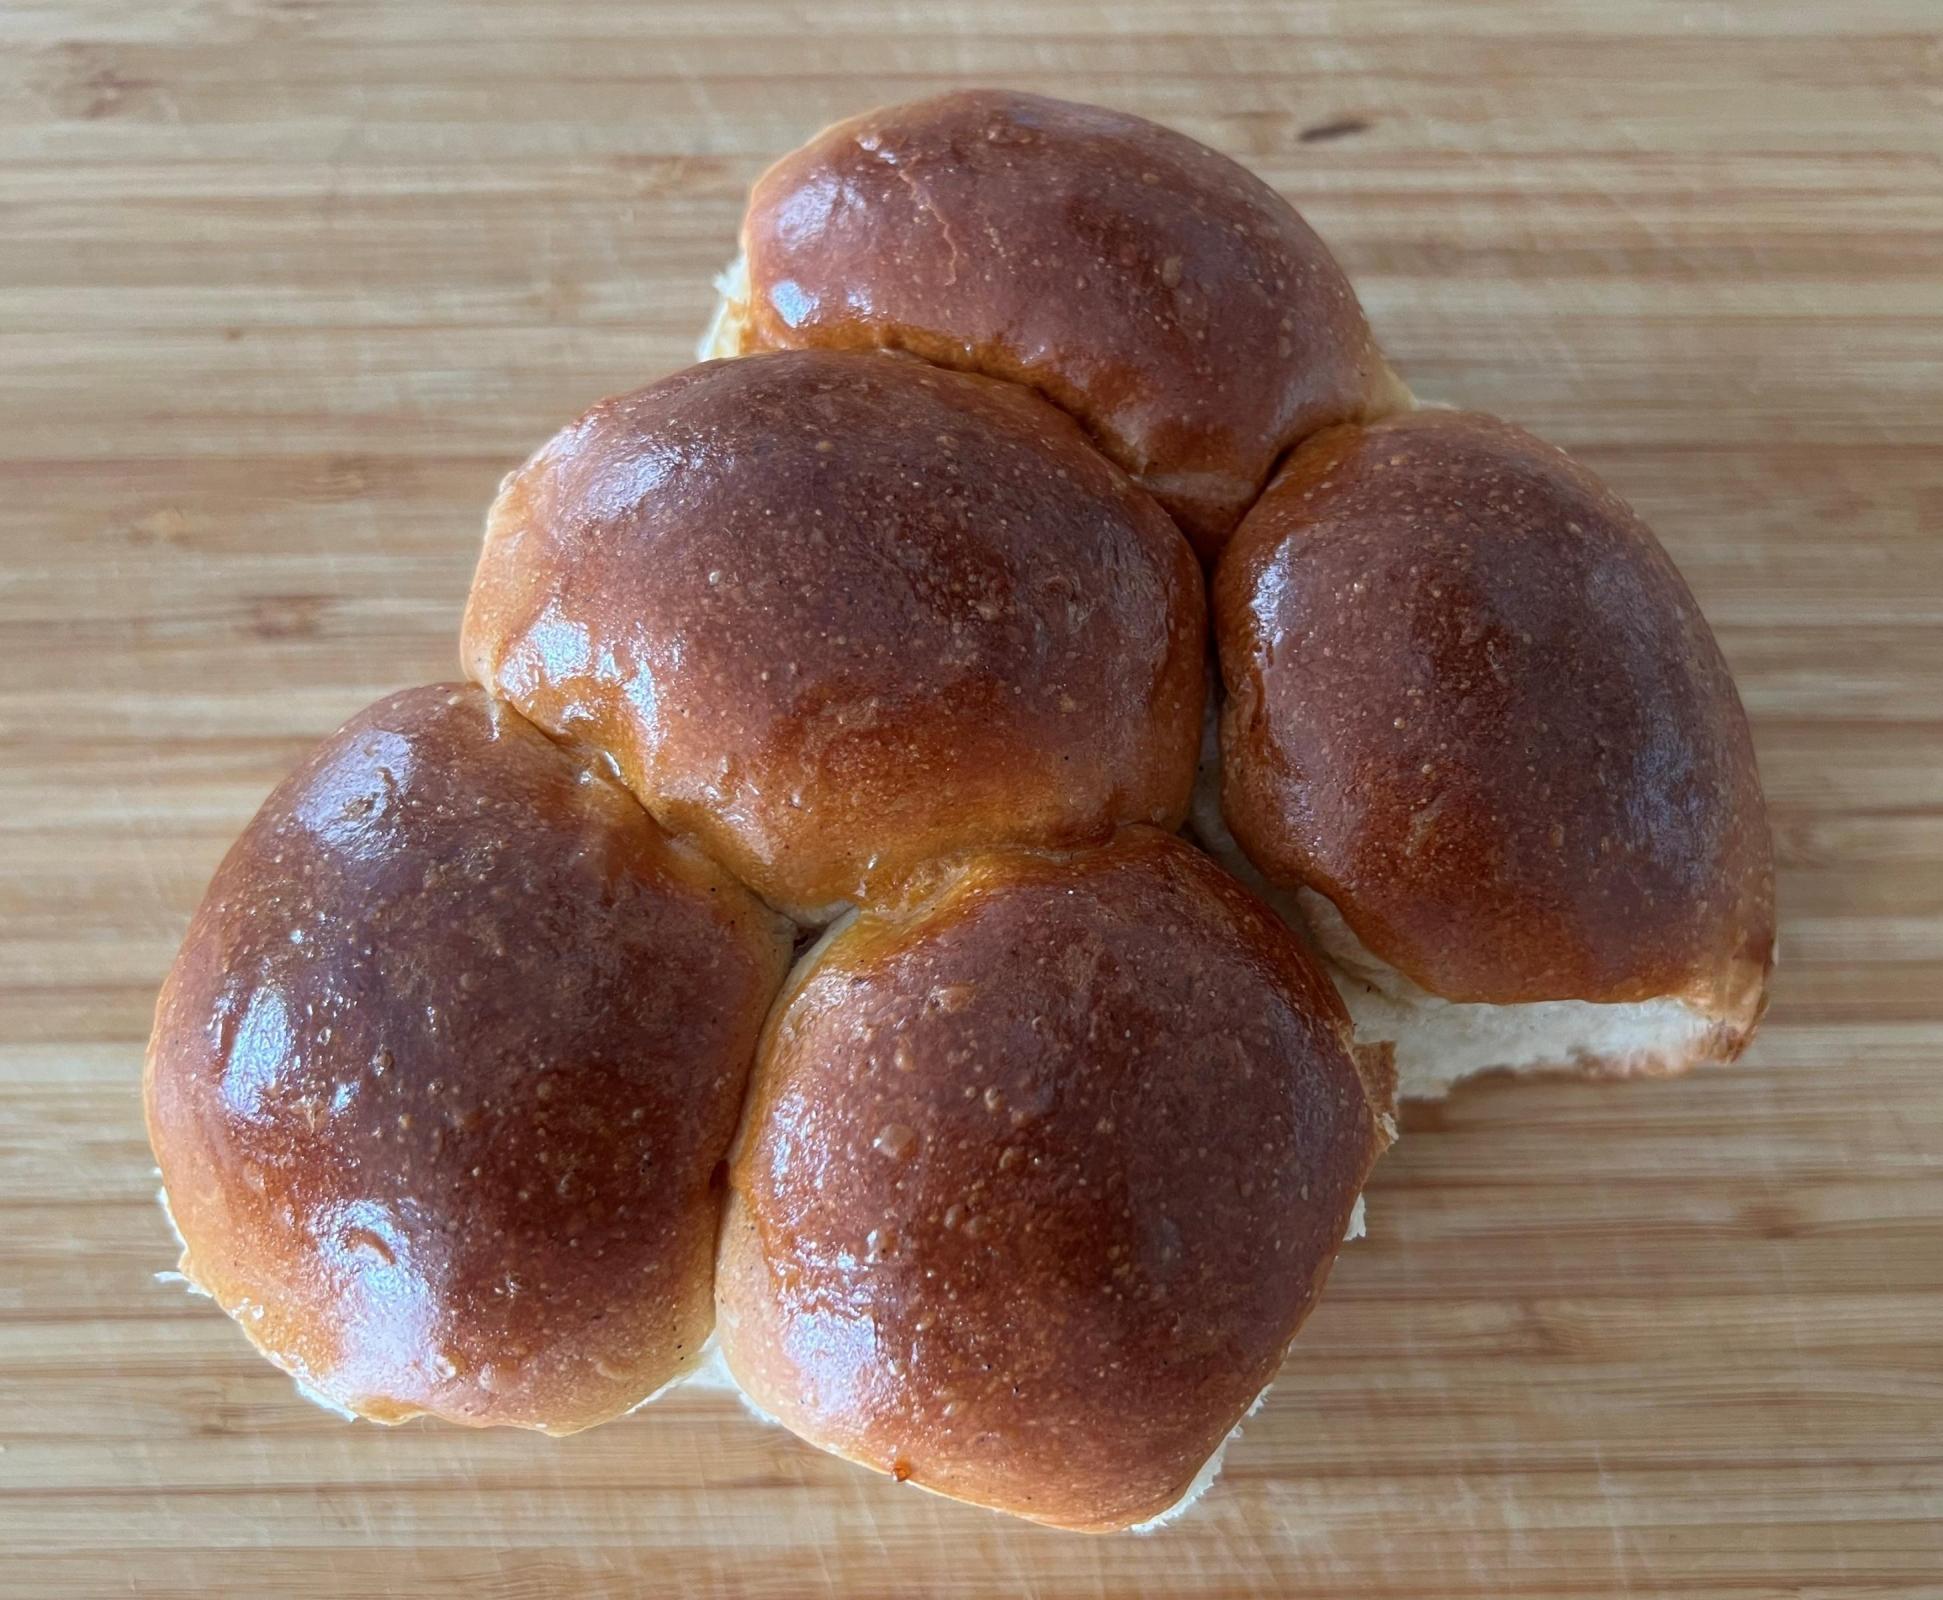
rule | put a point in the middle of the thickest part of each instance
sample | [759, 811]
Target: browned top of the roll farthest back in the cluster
[1153, 289]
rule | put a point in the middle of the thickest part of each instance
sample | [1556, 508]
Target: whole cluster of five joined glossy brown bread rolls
[485, 1086]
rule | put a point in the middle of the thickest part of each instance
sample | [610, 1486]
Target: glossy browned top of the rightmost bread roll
[1472, 701]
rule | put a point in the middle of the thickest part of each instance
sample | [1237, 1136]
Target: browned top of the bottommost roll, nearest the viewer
[1040, 1175]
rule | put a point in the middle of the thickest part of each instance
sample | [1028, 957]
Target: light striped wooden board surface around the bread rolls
[289, 285]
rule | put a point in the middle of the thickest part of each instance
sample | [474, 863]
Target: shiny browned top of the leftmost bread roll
[446, 1066]
